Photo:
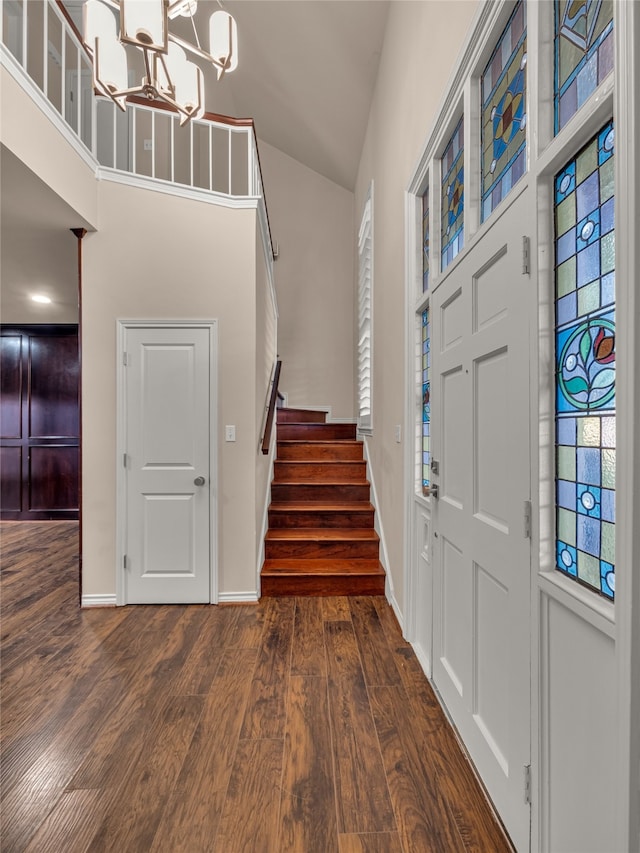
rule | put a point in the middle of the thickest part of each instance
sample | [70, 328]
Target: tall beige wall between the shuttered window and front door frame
[428, 36]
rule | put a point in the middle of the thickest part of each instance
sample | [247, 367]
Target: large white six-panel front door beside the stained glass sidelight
[481, 555]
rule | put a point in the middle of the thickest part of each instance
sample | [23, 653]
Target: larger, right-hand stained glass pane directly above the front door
[504, 117]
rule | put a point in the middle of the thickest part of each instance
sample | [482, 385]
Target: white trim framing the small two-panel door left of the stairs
[122, 326]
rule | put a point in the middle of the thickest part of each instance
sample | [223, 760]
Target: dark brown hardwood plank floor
[297, 724]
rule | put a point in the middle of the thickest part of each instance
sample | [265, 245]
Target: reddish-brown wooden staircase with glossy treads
[321, 539]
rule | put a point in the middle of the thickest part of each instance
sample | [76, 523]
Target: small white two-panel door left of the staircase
[166, 434]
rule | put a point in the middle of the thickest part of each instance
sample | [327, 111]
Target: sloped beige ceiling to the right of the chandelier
[306, 74]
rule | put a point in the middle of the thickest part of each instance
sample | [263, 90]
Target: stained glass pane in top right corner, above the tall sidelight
[583, 53]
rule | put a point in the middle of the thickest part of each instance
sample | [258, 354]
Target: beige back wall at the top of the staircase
[312, 220]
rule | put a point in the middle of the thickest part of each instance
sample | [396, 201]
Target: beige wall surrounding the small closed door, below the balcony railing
[162, 257]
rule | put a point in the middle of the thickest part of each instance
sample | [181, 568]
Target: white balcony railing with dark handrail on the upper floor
[216, 155]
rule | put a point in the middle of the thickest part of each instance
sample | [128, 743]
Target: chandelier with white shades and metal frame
[168, 75]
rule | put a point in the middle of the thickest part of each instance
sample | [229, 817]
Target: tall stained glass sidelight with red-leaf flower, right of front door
[585, 366]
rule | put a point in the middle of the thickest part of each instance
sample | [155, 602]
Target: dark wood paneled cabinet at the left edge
[39, 422]
